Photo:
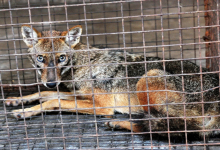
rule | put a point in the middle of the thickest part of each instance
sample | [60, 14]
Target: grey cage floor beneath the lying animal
[77, 131]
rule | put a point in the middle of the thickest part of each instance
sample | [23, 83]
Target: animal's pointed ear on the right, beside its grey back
[72, 36]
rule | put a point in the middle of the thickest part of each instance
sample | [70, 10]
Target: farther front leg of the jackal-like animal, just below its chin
[44, 96]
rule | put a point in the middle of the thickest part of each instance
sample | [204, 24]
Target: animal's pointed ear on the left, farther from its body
[30, 35]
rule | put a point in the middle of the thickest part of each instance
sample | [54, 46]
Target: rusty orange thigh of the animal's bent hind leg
[156, 94]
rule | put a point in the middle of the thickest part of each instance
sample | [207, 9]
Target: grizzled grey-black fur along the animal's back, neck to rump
[110, 69]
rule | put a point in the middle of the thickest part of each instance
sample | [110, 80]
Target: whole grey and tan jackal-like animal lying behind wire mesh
[159, 95]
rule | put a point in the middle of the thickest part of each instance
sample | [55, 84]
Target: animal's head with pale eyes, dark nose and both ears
[49, 53]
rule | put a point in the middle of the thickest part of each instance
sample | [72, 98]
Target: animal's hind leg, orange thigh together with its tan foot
[156, 97]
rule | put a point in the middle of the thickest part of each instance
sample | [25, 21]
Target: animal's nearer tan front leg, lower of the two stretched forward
[81, 106]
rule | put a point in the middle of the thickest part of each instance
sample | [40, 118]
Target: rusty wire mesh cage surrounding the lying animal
[168, 29]
